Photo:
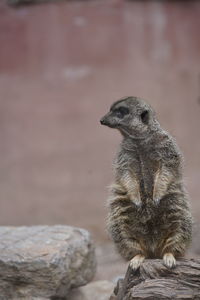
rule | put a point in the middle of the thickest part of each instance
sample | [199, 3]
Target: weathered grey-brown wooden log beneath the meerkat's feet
[153, 281]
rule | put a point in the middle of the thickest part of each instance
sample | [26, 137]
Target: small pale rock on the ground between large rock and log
[97, 290]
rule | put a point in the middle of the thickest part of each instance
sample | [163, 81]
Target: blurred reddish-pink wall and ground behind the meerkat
[62, 64]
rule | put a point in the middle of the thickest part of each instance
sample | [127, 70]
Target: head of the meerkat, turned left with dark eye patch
[131, 115]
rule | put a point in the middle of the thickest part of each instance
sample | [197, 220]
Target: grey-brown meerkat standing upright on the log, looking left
[149, 214]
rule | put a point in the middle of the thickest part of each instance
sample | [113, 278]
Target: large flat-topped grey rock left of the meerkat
[44, 262]
